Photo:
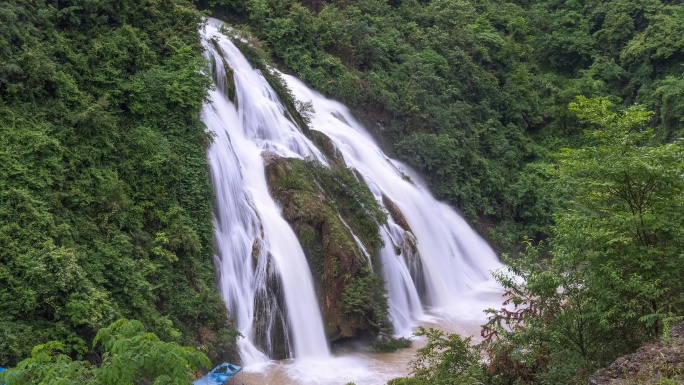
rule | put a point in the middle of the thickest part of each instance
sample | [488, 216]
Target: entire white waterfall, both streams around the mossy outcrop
[431, 258]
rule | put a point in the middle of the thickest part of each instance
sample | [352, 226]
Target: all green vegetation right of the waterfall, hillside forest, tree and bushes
[531, 117]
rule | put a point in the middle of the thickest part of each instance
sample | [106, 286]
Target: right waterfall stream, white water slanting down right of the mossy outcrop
[454, 261]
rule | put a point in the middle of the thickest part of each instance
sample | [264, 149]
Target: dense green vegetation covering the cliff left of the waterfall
[105, 206]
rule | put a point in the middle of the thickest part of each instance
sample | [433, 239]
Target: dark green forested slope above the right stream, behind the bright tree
[473, 93]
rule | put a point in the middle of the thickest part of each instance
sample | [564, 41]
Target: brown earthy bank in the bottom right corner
[660, 362]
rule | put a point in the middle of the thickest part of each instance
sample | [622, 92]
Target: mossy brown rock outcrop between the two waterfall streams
[336, 220]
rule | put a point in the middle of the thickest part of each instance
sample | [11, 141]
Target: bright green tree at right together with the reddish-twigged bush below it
[612, 276]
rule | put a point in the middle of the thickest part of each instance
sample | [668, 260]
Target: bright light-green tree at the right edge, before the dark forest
[628, 217]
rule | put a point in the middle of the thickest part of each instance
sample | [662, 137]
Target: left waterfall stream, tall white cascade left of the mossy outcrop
[264, 275]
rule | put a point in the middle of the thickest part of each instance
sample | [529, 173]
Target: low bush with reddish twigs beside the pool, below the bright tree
[546, 333]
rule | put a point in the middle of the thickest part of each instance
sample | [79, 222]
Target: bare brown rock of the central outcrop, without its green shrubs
[323, 228]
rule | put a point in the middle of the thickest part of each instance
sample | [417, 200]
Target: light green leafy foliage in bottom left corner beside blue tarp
[131, 356]
